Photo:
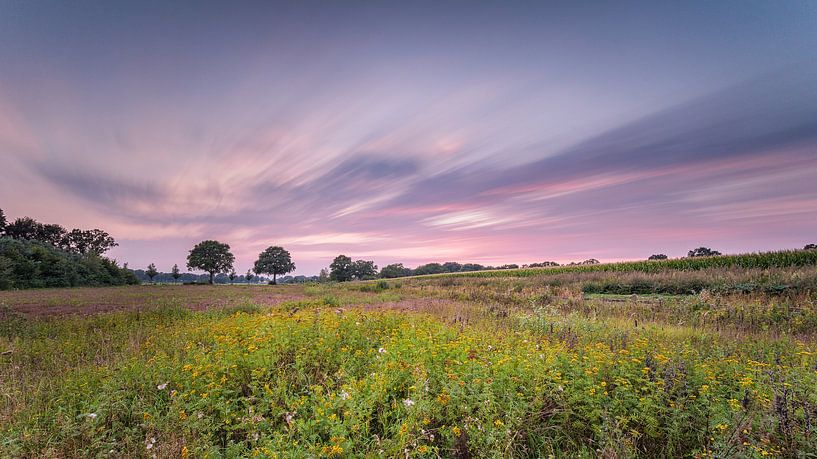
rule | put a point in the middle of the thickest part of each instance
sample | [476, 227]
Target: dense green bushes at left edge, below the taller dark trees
[34, 264]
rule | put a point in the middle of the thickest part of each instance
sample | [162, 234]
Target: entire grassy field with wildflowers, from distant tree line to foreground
[709, 361]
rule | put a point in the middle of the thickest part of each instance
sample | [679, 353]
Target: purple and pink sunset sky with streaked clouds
[413, 132]
